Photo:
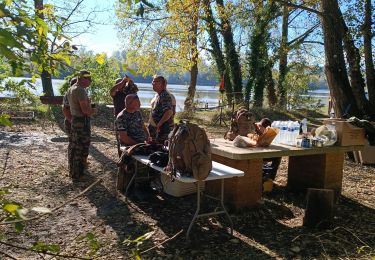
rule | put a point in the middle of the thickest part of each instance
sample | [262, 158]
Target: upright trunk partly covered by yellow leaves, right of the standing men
[189, 101]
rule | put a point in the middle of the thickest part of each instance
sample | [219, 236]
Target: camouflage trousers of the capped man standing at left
[78, 148]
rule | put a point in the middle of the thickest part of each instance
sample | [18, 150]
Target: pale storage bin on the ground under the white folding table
[177, 188]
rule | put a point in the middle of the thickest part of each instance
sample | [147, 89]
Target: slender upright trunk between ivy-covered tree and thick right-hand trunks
[283, 63]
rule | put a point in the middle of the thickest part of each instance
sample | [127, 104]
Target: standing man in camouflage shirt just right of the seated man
[161, 119]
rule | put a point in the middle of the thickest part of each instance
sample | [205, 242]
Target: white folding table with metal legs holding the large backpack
[219, 172]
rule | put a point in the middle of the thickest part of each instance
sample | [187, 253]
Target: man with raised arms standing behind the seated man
[122, 88]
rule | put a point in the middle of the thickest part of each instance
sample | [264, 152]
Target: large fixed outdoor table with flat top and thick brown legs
[307, 168]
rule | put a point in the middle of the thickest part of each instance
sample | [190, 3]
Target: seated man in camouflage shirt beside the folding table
[129, 122]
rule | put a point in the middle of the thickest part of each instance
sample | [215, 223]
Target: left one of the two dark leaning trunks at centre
[216, 50]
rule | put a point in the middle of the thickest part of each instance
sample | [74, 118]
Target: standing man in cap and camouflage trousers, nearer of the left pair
[81, 111]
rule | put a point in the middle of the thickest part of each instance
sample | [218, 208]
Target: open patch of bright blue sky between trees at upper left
[102, 38]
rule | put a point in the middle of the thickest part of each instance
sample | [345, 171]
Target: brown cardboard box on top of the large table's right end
[347, 134]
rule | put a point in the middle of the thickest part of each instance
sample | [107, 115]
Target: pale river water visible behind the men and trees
[205, 95]
